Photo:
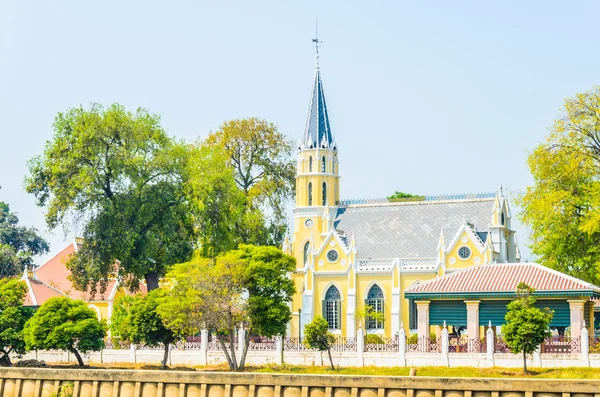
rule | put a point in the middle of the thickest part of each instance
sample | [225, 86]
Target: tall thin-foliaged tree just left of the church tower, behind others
[264, 171]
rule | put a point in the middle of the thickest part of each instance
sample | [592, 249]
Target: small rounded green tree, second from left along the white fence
[65, 324]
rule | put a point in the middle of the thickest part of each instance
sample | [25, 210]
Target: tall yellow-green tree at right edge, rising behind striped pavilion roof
[562, 208]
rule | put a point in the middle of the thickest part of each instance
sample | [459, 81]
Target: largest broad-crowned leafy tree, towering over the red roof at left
[118, 176]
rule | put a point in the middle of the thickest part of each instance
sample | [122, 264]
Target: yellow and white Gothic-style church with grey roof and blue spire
[353, 253]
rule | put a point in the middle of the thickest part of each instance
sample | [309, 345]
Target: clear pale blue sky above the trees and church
[426, 97]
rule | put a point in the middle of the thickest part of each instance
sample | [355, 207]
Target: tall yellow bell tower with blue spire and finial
[317, 175]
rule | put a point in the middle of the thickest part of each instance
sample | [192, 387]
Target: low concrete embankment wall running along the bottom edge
[112, 383]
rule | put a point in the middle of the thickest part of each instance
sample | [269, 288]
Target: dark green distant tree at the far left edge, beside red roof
[18, 244]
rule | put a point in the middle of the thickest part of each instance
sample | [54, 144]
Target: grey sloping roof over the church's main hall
[410, 229]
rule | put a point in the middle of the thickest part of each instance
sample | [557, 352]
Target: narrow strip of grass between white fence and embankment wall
[455, 372]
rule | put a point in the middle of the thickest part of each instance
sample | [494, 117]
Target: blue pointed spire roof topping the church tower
[318, 132]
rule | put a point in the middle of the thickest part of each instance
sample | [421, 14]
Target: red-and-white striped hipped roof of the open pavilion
[503, 279]
